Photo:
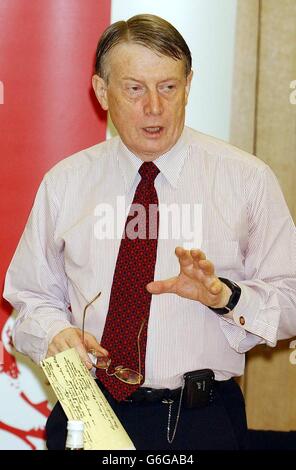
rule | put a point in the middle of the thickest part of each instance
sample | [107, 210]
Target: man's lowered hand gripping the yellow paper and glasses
[72, 338]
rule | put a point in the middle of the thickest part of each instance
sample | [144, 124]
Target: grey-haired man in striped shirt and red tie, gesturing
[236, 289]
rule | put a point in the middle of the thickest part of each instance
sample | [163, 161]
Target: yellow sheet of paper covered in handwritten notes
[82, 399]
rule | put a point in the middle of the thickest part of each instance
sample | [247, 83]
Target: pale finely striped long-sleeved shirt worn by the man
[212, 196]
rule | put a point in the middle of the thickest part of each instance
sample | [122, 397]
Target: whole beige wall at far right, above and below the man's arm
[264, 123]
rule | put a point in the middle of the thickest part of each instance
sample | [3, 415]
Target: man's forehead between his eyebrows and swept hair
[140, 61]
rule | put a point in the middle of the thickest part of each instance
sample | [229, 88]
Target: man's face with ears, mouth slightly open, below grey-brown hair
[146, 96]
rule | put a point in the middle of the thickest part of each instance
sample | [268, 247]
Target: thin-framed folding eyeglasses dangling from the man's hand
[122, 373]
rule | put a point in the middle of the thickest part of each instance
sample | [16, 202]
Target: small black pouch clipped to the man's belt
[198, 388]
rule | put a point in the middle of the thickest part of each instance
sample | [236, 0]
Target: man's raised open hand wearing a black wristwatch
[196, 281]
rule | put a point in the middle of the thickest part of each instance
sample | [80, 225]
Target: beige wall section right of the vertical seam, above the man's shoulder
[276, 116]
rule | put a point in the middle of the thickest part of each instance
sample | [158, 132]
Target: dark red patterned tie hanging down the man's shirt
[129, 304]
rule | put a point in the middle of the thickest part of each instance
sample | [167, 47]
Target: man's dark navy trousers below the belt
[219, 426]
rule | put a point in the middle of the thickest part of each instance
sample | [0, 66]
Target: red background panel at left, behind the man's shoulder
[47, 50]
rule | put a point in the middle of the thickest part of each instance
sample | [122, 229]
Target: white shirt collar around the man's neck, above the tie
[170, 163]
